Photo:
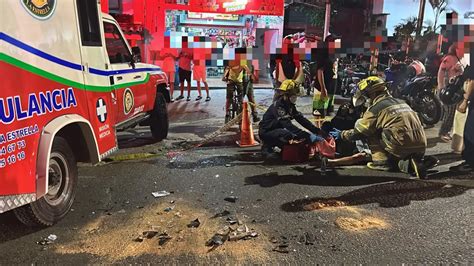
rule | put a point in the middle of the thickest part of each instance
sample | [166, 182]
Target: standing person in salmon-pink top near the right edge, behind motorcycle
[450, 67]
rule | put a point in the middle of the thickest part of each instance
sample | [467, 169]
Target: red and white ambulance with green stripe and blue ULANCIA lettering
[68, 83]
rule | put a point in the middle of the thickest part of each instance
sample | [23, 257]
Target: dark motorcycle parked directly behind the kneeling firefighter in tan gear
[418, 91]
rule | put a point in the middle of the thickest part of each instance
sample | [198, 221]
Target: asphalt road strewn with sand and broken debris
[348, 215]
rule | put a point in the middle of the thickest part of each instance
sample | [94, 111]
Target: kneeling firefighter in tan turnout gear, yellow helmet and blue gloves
[394, 132]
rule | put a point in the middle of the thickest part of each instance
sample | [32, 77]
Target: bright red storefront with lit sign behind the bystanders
[227, 23]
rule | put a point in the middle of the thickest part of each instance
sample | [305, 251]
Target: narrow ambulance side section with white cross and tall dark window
[100, 93]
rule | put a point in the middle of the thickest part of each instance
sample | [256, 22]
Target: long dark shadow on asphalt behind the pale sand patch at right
[387, 195]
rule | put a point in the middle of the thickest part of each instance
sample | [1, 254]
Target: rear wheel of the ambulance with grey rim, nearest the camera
[53, 207]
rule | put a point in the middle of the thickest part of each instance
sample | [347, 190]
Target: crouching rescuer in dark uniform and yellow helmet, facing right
[276, 128]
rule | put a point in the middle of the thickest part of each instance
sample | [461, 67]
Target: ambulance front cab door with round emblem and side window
[128, 81]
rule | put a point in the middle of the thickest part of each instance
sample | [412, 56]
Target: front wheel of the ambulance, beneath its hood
[159, 123]
